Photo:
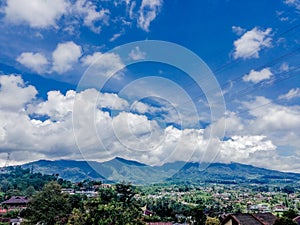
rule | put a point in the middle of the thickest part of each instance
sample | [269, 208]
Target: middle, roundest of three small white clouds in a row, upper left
[65, 55]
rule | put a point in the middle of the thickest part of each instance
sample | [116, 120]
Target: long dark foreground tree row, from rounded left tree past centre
[118, 205]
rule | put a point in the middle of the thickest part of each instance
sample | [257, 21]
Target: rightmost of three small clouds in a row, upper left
[104, 64]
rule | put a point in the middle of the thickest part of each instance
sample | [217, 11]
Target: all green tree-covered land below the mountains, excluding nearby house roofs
[125, 204]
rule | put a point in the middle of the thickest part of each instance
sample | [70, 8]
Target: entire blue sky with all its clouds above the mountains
[151, 80]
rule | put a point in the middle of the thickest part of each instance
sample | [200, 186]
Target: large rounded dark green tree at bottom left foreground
[49, 206]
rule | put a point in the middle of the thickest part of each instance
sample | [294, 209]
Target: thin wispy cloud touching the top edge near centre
[148, 12]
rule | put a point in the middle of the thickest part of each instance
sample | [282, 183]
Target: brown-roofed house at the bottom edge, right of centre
[249, 219]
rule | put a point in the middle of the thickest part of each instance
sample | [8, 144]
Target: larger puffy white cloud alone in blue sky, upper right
[251, 43]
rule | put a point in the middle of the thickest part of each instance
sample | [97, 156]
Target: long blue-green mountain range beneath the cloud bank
[119, 169]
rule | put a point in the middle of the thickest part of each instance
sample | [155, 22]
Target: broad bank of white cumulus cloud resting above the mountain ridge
[44, 129]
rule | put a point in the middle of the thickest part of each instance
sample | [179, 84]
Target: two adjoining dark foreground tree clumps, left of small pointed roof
[112, 206]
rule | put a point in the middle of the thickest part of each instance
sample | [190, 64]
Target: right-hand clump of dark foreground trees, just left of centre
[114, 207]
